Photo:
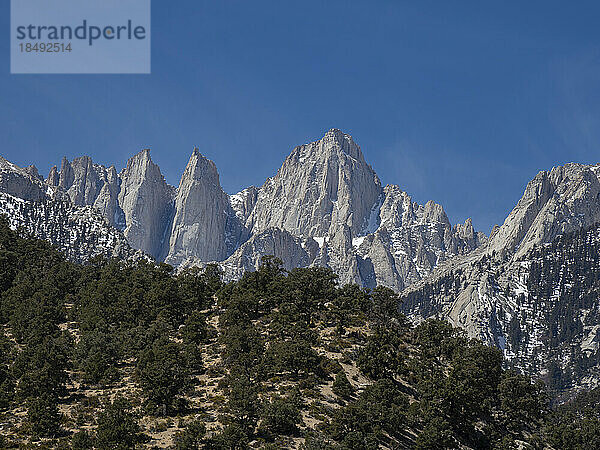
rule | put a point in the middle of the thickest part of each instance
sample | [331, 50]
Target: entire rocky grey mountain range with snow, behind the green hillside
[520, 289]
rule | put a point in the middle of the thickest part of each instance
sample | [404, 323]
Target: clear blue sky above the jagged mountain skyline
[459, 104]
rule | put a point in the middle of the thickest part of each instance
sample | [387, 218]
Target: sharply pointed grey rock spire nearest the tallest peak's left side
[202, 210]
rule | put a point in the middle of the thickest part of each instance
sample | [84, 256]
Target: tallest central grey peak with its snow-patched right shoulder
[326, 193]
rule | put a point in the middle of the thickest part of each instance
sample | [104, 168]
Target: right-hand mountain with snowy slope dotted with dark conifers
[532, 289]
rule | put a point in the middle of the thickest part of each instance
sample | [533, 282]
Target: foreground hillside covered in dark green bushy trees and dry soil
[116, 354]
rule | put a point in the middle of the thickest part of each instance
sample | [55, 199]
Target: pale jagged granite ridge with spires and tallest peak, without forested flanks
[325, 206]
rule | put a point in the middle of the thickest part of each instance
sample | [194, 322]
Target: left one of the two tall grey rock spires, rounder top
[147, 204]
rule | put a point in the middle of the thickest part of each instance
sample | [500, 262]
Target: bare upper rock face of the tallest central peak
[321, 186]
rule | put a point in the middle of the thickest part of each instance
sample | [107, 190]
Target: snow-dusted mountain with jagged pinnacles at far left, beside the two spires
[57, 212]
